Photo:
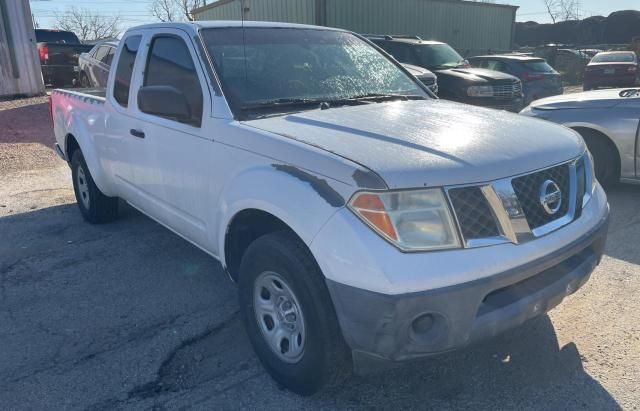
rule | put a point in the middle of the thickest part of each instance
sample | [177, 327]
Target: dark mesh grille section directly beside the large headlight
[473, 212]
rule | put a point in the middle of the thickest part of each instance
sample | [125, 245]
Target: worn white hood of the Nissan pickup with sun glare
[431, 143]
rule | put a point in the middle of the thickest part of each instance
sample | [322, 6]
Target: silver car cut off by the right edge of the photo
[608, 120]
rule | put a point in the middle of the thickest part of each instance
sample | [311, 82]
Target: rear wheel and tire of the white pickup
[95, 207]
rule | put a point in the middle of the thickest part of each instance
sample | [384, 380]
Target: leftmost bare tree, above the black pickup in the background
[88, 25]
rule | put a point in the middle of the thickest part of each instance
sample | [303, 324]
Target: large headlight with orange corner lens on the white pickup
[415, 220]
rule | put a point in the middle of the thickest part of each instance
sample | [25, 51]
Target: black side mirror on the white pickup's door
[164, 101]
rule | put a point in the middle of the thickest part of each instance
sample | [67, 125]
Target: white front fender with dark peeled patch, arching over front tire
[272, 197]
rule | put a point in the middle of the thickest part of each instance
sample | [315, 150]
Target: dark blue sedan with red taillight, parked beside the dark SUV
[538, 78]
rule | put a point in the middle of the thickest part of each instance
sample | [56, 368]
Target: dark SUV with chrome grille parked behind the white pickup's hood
[457, 81]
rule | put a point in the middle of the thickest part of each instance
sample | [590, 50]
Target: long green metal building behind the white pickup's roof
[466, 25]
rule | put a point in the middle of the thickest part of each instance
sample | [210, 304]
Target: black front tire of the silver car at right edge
[605, 157]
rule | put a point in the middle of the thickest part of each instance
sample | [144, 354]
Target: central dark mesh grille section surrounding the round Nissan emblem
[527, 188]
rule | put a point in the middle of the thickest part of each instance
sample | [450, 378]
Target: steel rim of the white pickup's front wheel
[279, 316]
